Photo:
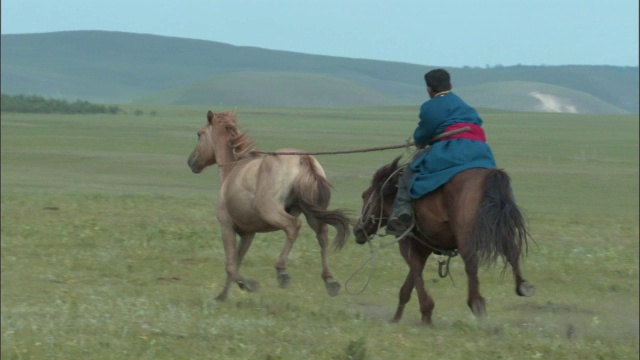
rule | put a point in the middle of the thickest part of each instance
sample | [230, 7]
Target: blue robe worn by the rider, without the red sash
[436, 166]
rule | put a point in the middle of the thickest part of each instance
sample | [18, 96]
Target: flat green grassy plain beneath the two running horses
[110, 246]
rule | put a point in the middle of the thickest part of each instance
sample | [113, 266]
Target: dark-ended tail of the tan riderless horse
[313, 191]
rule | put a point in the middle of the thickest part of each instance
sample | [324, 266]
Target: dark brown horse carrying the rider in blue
[474, 213]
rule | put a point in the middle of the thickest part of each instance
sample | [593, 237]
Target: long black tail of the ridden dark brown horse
[500, 229]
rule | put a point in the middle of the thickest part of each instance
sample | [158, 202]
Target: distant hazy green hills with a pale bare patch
[116, 68]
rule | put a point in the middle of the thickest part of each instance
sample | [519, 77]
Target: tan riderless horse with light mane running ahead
[264, 194]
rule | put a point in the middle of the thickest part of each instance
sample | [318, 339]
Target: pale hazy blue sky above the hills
[428, 32]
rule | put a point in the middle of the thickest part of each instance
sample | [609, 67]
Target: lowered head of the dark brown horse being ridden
[376, 202]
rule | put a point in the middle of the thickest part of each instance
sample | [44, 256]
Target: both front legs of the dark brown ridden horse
[416, 258]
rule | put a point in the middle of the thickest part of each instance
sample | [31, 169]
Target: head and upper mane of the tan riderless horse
[219, 142]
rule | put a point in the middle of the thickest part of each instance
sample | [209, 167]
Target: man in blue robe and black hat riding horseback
[437, 163]
